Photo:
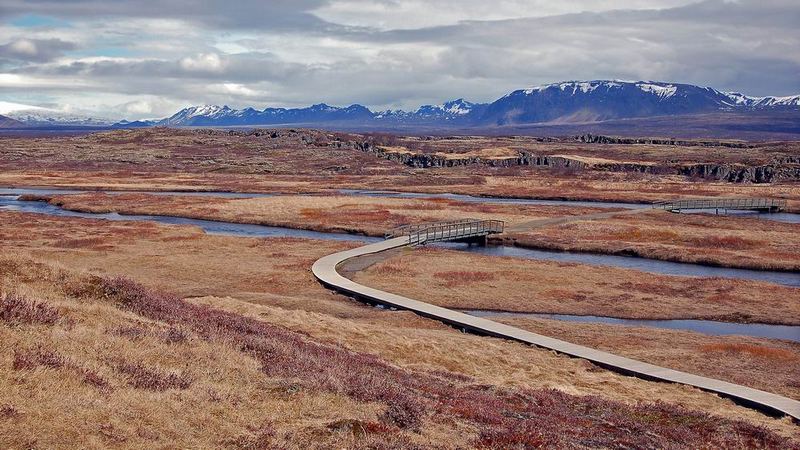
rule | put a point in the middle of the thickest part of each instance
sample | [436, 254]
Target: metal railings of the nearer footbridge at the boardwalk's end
[447, 231]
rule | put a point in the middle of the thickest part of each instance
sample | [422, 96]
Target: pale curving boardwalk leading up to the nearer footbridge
[325, 271]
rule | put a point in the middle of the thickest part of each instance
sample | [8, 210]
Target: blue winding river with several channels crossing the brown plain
[9, 201]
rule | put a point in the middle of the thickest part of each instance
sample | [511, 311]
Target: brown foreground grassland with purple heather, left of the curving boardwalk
[257, 354]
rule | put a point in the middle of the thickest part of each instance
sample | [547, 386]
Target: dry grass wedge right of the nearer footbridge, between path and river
[694, 238]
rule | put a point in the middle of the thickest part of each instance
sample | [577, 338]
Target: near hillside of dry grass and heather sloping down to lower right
[368, 402]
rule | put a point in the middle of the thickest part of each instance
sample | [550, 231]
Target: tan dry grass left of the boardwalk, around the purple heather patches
[292, 301]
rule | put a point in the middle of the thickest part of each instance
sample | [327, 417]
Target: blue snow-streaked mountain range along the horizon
[571, 102]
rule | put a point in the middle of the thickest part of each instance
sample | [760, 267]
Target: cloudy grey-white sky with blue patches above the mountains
[147, 59]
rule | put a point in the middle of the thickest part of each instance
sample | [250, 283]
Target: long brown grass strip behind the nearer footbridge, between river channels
[693, 238]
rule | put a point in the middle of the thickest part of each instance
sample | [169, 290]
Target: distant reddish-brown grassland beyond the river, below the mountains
[312, 161]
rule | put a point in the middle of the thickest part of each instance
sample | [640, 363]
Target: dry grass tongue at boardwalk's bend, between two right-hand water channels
[512, 284]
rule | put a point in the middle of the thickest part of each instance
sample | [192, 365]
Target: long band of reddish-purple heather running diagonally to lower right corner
[505, 418]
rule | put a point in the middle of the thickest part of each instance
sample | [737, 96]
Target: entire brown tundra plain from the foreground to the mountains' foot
[131, 334]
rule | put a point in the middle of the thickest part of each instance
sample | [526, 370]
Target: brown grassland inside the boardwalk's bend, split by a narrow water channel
[509, 284]
